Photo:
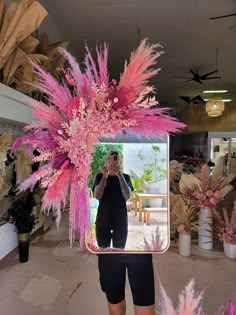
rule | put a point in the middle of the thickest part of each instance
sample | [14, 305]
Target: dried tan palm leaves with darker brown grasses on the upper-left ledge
[18, 43]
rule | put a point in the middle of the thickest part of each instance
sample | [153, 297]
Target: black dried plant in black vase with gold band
[22, 216]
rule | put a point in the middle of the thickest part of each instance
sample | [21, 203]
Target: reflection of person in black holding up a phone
[112, 188]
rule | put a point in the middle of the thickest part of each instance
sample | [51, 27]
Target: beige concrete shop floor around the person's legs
[42, 286]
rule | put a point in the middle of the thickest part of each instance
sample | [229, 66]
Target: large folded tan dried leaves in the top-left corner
[17, 44]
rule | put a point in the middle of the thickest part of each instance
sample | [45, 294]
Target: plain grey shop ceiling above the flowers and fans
[183, 27]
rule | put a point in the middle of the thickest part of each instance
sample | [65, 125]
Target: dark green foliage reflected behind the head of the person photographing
[99, 157]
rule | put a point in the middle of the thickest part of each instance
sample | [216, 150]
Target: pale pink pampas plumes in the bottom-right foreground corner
[190, 303]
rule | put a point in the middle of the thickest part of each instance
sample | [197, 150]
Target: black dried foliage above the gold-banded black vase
[21, 212]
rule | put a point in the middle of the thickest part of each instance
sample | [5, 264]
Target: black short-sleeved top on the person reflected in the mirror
[112, 210]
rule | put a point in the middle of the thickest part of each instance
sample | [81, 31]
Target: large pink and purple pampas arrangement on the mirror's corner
[77, 116]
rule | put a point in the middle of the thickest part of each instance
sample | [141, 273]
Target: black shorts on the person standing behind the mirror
[112, 268]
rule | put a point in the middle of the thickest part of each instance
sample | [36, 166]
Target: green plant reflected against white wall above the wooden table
[153, 169]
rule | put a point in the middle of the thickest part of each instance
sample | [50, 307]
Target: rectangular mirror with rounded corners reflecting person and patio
[145, 165]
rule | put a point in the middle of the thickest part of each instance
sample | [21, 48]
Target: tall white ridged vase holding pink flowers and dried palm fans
[205, 235]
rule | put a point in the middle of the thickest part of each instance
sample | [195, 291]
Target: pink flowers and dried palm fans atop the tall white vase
[203, 190]
